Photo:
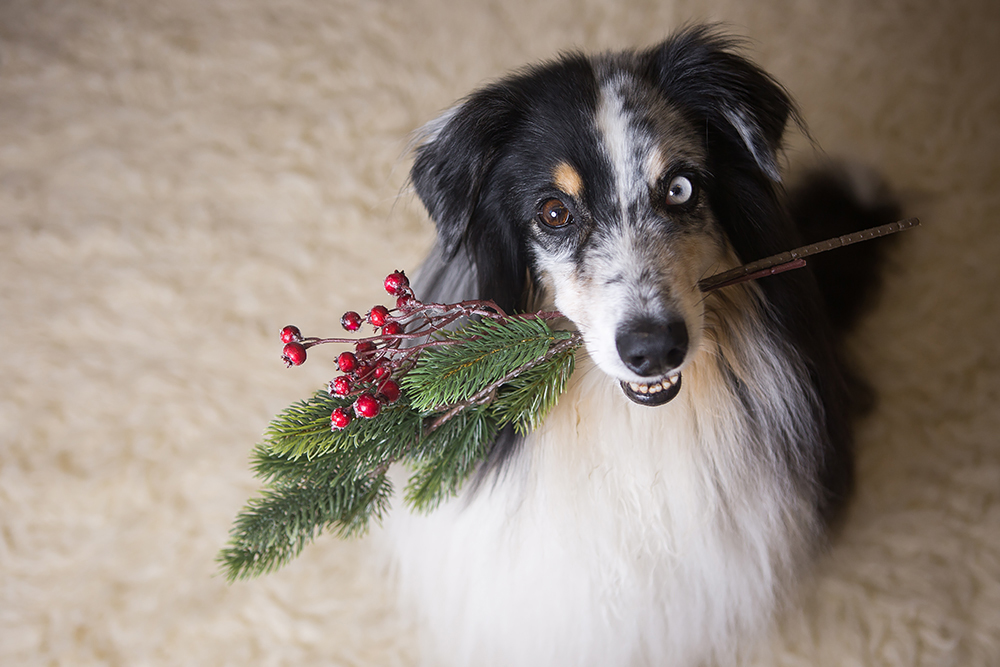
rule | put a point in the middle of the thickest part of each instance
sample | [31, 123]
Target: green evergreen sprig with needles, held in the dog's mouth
[459, 390]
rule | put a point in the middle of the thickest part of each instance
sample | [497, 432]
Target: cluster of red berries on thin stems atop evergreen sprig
[369, 374]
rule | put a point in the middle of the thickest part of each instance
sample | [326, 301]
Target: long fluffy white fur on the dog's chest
[620, 535]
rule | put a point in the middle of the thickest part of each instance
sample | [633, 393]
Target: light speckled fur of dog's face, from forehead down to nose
[631, 266]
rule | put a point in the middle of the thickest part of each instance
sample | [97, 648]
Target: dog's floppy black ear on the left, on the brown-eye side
[454, 155]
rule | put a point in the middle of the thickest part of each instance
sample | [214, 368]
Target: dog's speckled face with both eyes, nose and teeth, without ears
[621, 242]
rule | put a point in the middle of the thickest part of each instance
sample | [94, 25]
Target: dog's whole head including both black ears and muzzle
[612, 185]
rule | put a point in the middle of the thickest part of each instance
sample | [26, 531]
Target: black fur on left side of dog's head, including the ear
[451, 172]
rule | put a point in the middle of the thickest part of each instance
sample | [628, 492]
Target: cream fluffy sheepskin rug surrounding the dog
[180, 179]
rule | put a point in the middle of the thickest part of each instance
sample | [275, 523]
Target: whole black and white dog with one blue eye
[692, 468]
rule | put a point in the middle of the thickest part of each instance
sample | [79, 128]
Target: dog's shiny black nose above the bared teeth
[650, 348]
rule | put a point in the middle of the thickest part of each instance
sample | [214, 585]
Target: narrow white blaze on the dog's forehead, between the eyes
[628, 148]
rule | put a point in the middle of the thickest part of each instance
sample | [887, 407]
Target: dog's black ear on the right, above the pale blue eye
[699, 70]
